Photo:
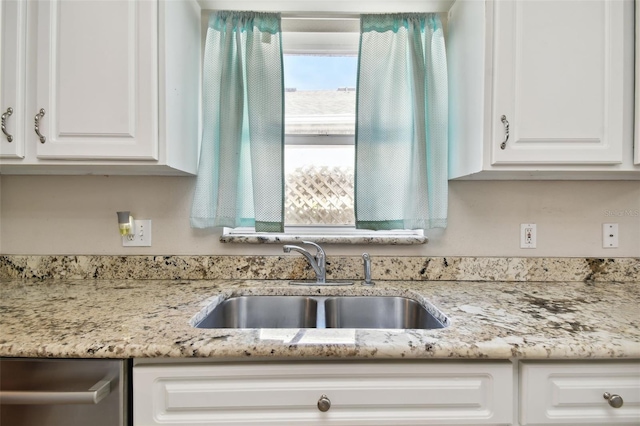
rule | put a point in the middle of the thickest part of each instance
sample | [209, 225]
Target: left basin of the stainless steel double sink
[263, 312]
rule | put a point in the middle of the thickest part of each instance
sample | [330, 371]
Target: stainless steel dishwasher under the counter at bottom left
[69, 392]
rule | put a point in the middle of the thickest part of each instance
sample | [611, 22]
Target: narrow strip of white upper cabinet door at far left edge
[13, 14]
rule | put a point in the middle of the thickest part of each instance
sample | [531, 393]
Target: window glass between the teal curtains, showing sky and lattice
[320, 102]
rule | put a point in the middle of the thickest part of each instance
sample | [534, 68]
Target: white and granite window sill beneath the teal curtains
[323, 235]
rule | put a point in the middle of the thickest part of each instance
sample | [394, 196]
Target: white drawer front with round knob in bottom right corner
[589, 393]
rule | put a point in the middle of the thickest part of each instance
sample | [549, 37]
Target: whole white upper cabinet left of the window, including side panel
[99, 81]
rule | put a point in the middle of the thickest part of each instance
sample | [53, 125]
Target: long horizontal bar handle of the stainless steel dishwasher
[94, 395]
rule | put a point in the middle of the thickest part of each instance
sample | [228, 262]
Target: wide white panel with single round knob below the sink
[325, 393]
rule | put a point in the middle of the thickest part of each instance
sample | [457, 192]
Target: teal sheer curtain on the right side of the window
[401, 130]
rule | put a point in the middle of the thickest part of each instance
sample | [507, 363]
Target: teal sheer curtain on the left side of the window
[240, 176]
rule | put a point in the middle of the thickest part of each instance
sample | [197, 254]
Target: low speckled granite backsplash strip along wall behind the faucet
[338, 267]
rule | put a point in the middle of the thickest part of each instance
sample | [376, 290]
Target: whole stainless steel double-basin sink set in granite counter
[370, 312]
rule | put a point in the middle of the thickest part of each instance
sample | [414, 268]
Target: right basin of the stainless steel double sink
[377, 312]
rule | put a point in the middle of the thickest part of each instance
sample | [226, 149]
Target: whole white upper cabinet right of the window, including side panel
[541, 89]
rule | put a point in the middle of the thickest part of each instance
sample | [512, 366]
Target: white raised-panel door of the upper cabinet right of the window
[558, 82]
